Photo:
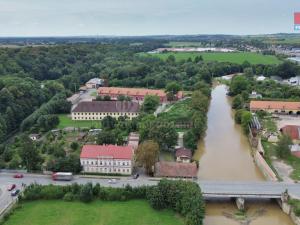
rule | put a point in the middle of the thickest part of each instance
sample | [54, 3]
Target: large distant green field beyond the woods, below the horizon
[233, 57]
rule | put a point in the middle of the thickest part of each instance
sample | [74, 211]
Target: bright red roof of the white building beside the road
[109, 151]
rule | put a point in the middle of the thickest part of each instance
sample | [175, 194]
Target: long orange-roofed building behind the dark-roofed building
[137, 94]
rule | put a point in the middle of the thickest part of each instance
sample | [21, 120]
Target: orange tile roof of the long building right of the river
[276, 105]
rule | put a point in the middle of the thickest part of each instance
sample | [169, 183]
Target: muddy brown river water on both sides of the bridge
[225, 154]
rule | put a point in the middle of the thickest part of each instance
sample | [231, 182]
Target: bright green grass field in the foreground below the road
[135, 212]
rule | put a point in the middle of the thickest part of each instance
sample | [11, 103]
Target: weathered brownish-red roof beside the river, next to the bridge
[174, 169]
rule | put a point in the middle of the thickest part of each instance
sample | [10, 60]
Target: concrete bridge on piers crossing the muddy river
[241, 191]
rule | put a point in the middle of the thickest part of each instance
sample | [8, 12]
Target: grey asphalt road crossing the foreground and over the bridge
[210, 188]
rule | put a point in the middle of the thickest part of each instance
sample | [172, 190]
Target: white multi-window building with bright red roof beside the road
[108, 159]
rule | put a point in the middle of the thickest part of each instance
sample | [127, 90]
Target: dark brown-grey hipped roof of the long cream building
[107, 106]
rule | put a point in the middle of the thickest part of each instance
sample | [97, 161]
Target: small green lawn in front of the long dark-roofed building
[66, 121]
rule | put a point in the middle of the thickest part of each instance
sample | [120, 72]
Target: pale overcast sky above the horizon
[145, 17]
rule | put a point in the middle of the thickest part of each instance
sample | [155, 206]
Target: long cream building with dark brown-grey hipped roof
[97, 110]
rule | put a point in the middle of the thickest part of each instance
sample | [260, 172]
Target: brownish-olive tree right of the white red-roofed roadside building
[147, 154]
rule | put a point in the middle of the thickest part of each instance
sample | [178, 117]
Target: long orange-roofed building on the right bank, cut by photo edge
[275, 107]
